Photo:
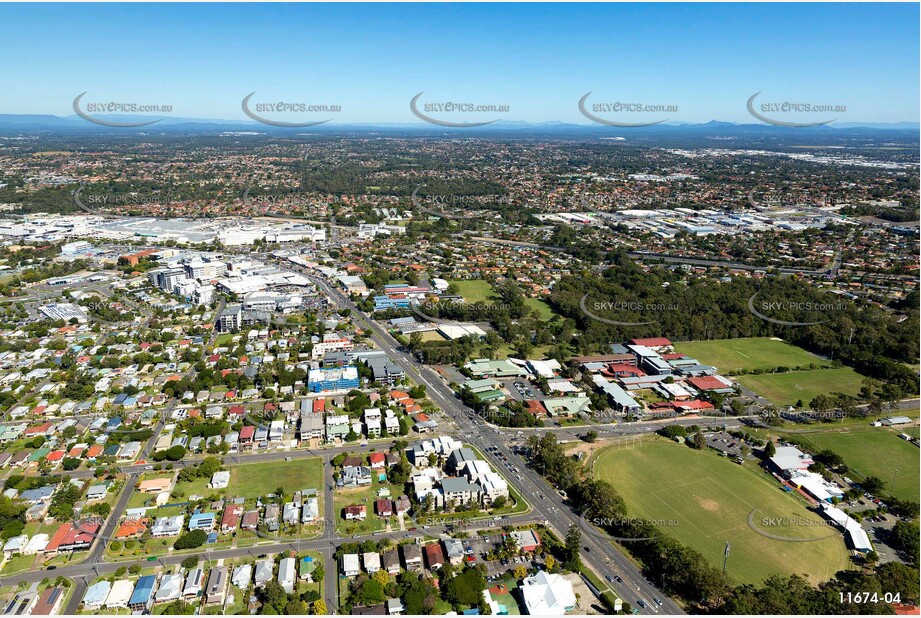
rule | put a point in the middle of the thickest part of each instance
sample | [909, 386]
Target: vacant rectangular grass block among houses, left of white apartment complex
[255, 480]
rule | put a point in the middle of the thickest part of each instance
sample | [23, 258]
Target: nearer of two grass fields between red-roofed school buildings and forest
[785, 389]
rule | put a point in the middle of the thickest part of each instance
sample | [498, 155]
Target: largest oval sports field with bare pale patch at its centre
[704, 501]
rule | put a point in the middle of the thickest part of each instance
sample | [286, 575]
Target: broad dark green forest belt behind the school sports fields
[867, 338]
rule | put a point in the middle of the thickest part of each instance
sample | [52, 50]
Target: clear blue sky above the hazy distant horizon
[538, 59]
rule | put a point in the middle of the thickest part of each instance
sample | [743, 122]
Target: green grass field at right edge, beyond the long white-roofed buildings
[873, 451]
